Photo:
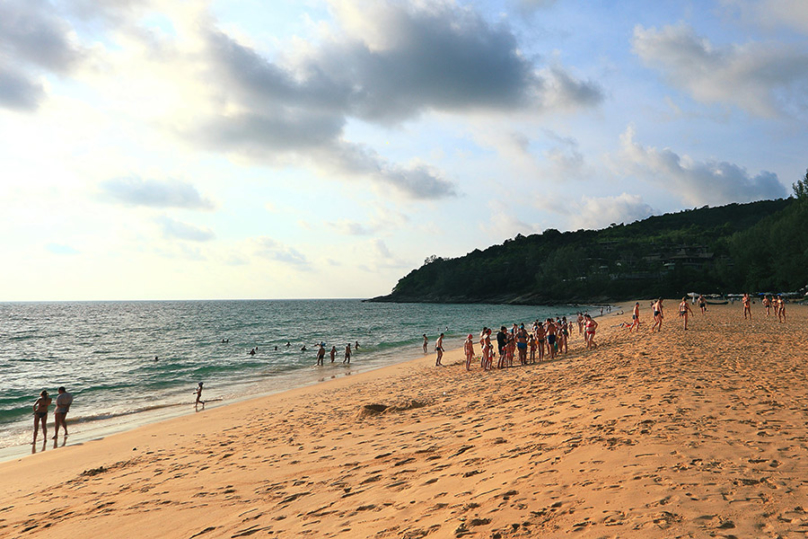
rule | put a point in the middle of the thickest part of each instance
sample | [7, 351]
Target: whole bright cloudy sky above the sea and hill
[246, 149]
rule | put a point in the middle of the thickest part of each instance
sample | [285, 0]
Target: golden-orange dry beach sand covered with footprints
[677, 434]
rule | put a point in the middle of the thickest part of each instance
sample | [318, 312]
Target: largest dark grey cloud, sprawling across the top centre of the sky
[382, 63]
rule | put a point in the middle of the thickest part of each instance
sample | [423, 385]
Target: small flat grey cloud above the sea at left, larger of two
[154, 193]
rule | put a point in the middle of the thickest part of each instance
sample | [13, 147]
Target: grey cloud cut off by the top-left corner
[34, 39]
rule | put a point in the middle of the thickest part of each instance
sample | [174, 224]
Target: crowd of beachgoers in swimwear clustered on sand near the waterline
[543, 340]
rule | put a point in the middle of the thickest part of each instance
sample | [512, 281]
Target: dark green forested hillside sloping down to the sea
[756, 247]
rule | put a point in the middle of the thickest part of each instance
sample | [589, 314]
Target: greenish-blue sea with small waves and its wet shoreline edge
[104, 352]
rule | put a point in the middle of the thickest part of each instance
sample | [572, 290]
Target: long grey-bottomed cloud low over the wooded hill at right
[696, 182]
